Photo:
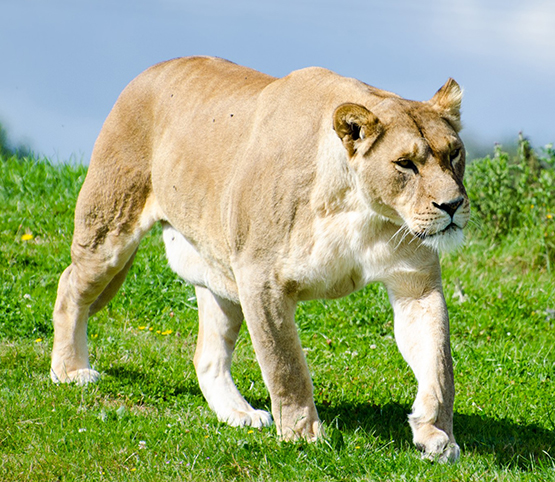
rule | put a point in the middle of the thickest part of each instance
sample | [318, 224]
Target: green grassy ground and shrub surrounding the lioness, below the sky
[147, 420]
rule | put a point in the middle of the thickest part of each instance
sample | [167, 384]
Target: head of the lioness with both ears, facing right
[410, 160]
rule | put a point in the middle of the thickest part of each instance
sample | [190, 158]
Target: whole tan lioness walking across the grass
[272, 191]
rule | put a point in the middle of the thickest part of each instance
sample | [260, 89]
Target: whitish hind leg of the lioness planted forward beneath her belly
[219, 324]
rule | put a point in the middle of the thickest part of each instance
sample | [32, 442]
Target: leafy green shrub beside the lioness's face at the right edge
[513, 197]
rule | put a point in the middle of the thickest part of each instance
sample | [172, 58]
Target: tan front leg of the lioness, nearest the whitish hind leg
[270, 316]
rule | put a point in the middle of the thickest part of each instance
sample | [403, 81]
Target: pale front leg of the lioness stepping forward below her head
[422, 334]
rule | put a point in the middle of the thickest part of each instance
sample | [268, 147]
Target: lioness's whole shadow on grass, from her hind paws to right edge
[512, 445]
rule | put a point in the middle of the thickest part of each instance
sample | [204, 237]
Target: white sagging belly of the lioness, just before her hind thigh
[187, 262]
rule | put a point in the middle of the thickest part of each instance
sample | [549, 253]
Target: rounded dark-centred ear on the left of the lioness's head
[355, 124]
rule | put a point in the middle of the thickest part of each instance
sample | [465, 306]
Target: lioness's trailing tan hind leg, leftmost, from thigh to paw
[109, 225]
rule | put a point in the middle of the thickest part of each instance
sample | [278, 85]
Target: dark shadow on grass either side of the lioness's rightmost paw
[512, 445]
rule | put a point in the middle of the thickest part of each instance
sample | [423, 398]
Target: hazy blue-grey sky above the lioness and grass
[64, 62]
